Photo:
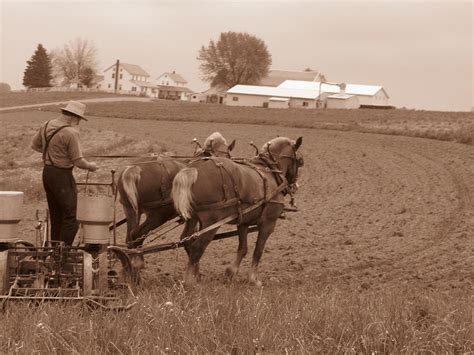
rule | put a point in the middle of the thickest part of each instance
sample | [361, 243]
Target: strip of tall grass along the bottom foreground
[238, 319]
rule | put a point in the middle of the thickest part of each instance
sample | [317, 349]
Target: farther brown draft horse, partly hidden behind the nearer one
[146, 187]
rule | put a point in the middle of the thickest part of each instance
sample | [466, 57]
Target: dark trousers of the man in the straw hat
[61, 193]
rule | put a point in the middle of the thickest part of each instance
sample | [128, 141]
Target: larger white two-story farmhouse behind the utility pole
[128, 79]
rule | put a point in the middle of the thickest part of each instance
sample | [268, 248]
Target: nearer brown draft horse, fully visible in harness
[247, 193]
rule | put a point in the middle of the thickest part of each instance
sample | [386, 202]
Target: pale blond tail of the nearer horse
[181, 192]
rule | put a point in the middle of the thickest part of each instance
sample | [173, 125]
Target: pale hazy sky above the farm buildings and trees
[419, 51]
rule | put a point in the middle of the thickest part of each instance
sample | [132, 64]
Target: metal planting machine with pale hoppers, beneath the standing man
[96, 272]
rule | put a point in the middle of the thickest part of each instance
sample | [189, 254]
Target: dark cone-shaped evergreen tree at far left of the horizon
[38, 72]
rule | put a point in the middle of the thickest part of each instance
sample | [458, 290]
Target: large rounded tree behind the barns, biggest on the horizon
[236, 58]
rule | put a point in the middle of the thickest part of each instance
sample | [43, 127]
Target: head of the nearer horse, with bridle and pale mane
[284, 152]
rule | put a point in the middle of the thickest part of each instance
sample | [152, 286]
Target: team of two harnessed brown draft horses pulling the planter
[209, 190]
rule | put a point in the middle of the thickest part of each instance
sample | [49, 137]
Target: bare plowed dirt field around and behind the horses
[375, 210]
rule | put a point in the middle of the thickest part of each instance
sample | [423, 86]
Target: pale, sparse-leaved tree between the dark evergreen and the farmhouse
[77, 60]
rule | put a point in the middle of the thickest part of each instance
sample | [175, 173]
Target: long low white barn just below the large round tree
[259, 96]
